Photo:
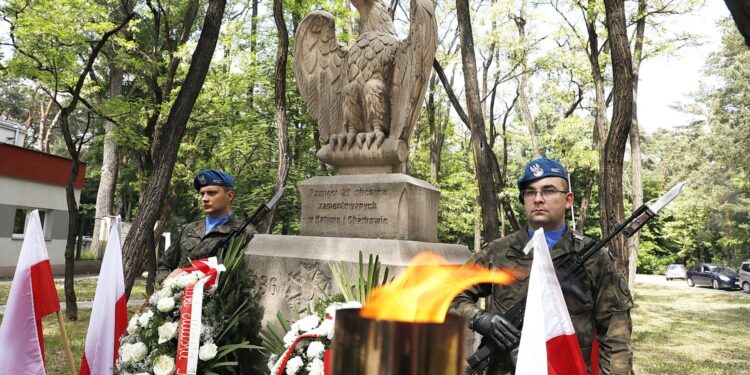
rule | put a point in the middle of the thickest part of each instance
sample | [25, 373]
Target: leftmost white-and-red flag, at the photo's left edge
[32, 297]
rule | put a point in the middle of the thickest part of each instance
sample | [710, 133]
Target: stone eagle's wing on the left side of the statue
[319, 70]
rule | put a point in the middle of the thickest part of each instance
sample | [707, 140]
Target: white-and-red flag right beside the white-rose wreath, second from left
[109, 315]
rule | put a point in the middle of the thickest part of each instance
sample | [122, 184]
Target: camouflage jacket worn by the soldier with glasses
[606, 314]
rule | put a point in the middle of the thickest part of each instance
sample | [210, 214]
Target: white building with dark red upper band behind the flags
[31, 180]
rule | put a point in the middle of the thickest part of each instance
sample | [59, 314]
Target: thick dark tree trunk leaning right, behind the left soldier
[165, 153]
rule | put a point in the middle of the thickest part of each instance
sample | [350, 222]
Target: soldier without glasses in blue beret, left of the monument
[199, 238]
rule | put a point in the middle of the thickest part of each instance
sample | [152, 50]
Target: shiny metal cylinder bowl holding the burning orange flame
[382, 347]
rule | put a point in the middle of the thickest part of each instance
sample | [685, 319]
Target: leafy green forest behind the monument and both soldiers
[136, 90]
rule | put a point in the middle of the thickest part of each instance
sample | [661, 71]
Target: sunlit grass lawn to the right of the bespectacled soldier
[690, 331]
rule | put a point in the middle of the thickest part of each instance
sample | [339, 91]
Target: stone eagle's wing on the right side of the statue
[412, 67]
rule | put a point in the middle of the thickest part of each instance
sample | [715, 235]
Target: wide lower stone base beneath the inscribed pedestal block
[292, 270]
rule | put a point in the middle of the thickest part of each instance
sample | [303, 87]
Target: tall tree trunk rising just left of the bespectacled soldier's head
[487, 196]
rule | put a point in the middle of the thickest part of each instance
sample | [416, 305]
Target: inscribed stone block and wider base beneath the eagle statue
[393, 216]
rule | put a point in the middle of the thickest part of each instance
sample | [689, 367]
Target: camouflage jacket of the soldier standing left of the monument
[193, 244]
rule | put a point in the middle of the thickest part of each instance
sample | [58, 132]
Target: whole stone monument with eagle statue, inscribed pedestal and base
[366, 100]
